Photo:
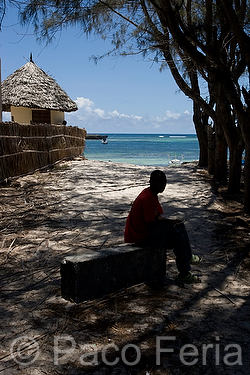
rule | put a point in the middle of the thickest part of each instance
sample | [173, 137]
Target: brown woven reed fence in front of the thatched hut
[25, 148]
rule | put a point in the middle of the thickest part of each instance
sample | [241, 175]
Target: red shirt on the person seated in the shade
[146, 208]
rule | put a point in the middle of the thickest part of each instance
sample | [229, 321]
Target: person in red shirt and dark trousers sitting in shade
[147, 227]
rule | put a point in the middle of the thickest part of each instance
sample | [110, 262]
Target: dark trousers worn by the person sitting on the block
[165, 235]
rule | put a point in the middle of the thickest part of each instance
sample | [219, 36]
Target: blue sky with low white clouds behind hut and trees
[116, 95]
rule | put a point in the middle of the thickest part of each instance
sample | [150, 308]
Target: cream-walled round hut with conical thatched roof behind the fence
[32, 97]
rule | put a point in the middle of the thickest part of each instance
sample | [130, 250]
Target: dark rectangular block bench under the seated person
[92, 275]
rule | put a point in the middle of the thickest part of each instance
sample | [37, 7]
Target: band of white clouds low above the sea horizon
[97, 120]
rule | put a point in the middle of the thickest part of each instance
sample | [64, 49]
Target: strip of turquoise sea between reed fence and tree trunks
[144, 149]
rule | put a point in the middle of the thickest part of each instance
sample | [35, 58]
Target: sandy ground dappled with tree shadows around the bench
[82, 205]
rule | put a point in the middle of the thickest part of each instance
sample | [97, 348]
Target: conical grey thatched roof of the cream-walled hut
[29, 86]
